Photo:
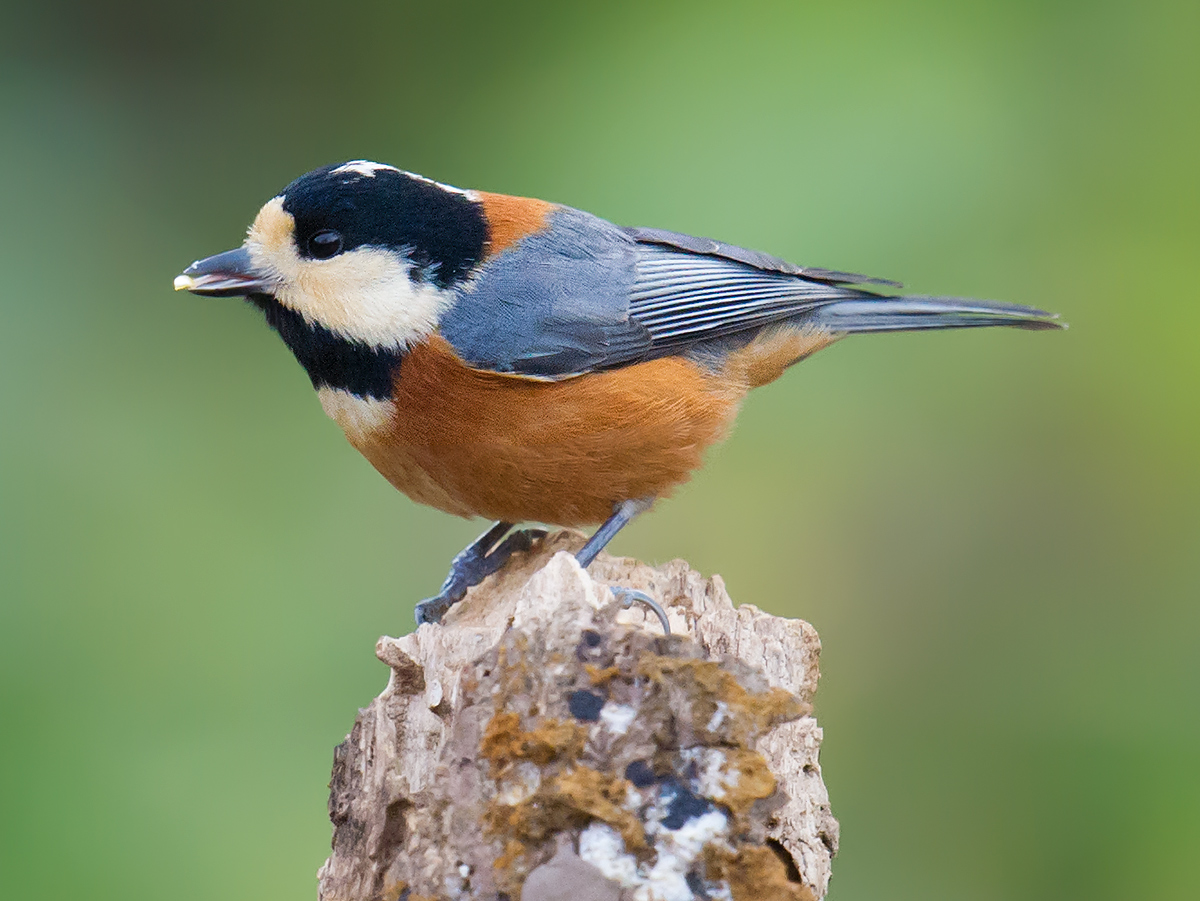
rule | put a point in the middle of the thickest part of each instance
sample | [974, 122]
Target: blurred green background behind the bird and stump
[997, 533]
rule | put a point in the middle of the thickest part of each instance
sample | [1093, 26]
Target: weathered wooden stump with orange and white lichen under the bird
[544, 743]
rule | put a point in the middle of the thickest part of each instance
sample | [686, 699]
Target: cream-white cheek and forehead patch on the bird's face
[365, 295]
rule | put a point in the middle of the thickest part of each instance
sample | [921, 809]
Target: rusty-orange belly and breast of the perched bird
[482, 445]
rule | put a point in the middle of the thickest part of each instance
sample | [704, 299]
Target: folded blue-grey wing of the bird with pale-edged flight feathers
[584, 295]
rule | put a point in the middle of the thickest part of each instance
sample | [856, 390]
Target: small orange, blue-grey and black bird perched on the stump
[525, 362]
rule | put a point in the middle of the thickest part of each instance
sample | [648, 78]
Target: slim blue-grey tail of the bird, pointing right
[915, 314]
